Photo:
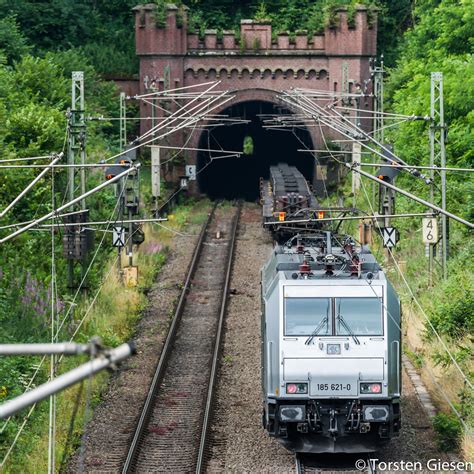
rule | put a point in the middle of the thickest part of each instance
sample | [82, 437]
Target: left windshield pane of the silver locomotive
[304, 315]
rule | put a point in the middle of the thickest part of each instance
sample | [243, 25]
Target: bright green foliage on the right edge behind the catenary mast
[441, 41]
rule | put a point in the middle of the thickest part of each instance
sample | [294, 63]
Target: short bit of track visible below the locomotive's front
[325, 464]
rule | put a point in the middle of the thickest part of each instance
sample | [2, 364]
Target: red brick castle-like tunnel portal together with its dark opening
[254, 65]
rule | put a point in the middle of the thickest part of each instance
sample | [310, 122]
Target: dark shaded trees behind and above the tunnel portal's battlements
[104, 31]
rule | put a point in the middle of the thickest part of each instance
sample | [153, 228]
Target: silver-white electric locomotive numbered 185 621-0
[331, 347]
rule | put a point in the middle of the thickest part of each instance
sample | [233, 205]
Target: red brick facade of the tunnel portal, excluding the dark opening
[257, 66]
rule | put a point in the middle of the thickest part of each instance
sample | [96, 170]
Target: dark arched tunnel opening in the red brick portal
[232, 178]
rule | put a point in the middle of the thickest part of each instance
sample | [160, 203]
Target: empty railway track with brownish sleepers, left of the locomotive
[171, 434]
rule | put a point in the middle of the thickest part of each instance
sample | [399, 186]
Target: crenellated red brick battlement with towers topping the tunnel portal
[170, 35]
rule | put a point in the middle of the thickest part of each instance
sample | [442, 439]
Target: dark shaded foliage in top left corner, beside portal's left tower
[103, 31]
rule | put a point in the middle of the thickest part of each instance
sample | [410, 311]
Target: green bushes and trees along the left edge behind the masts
[34, 96]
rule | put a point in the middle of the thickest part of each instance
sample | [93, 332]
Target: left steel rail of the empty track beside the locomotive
[165, 353]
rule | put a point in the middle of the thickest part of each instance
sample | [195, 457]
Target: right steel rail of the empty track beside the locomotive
[217, 349]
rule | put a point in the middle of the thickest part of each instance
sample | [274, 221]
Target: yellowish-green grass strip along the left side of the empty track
[113, 317]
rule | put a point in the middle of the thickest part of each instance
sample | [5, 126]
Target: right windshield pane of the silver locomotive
[363, 317]
